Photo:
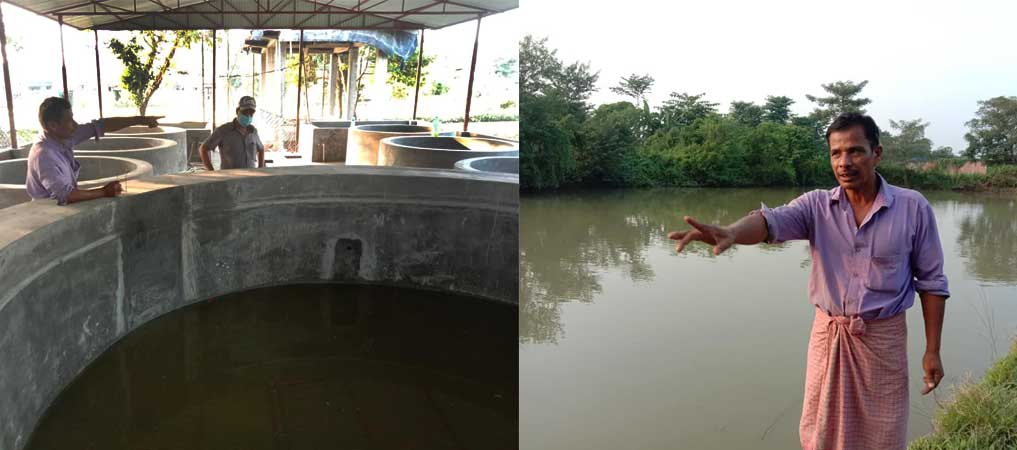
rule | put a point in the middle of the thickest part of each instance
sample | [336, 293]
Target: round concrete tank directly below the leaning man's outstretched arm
[162, 154]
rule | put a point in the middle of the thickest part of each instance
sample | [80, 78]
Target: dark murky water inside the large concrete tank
[303, 367]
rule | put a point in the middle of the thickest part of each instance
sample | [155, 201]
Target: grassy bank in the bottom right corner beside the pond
[983, 416]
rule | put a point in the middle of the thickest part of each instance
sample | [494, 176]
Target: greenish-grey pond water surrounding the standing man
[625, 344]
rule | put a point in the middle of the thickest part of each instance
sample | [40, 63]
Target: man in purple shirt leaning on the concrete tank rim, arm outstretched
[52, 167]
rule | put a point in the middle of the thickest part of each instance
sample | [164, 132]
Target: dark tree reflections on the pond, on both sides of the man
[568, 241]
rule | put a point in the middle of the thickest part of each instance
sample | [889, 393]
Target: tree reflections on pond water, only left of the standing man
[567, 241]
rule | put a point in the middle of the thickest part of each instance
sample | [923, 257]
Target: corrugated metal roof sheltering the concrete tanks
[292, 15]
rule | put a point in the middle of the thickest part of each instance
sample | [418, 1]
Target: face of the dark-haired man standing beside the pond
[853, 159]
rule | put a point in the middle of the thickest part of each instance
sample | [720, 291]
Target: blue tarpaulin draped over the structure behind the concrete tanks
[399, 43]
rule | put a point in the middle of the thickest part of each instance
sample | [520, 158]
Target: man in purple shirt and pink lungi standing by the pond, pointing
[873, 247]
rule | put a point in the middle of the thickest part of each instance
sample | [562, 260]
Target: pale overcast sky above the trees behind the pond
[928, 60]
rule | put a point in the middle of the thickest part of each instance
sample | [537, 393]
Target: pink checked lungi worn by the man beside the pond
[856, 384]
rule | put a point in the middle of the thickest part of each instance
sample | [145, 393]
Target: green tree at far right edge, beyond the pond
[993, 133]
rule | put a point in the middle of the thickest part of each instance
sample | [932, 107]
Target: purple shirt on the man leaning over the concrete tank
[52, 167]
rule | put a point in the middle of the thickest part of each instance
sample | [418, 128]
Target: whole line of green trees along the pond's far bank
[686, 142]
